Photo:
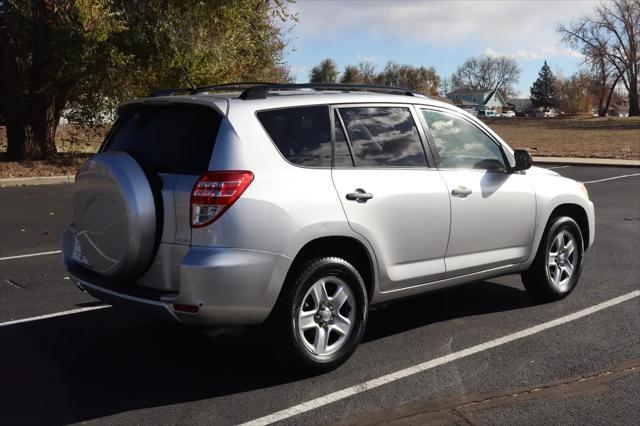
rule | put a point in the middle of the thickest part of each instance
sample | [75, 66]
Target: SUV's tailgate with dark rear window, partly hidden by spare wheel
[173, 143]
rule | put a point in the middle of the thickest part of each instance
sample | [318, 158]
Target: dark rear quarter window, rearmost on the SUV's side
[303, 134]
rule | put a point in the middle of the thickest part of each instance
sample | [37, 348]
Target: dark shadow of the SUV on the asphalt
[98, 363]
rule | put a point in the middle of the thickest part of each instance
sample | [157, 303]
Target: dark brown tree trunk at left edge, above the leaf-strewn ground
[31, 133]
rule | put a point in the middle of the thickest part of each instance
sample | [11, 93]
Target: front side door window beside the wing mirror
[460, 144]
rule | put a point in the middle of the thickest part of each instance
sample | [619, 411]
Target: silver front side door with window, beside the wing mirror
[492, 210]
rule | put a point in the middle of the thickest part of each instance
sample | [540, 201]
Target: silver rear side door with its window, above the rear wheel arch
[389, 193]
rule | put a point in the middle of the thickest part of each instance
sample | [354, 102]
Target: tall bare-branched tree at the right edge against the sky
[610, 40]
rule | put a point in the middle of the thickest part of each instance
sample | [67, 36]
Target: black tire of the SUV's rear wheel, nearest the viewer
[284, 324]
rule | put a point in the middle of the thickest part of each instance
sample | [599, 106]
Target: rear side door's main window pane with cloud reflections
[383, 136]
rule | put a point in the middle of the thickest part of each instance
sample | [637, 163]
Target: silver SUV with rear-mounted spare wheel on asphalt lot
[301, 206]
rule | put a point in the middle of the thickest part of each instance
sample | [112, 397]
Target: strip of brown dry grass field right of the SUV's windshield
[607, 137]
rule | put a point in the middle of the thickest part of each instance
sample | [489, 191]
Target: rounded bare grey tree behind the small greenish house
[487, 73]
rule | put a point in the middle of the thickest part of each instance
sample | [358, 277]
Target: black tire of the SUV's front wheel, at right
[537, 279]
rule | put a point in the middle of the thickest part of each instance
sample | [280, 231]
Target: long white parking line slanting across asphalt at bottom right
[428, 365]
